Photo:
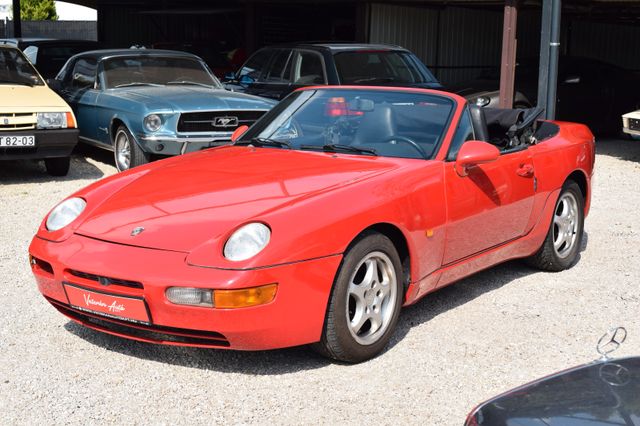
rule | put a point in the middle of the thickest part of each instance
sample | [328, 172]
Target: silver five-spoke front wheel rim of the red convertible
[371, 298]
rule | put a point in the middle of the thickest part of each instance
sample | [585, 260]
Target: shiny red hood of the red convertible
[186, 201]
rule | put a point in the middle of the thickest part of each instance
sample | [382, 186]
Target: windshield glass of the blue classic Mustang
[156, 70]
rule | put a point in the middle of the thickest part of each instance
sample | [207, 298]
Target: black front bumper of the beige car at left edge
[52, 143]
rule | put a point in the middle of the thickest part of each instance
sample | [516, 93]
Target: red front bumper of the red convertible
[294, 317]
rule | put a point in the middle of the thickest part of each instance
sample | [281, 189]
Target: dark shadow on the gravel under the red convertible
[291, 360]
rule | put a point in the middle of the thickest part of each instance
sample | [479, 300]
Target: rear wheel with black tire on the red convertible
[550, 256]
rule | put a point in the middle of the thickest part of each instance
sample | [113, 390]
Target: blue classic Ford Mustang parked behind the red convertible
[145, 104]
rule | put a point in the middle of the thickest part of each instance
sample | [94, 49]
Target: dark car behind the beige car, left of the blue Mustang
[49, 55]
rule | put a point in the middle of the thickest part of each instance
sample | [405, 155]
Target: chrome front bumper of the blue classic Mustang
[176, 145]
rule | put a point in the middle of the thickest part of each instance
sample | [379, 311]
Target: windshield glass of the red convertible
[367, 122]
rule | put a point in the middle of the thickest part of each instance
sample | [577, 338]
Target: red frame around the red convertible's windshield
[270, 122]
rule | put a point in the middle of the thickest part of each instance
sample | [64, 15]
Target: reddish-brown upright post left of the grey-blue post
[509, 46]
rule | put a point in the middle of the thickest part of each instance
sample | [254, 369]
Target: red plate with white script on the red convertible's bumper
[119, 307]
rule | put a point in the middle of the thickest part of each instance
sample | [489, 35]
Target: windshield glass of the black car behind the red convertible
[381, 67]
